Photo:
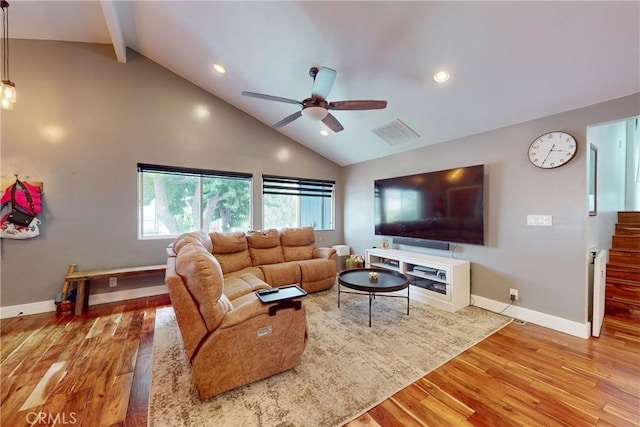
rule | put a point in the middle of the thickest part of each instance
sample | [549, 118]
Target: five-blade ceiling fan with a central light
[317, 107]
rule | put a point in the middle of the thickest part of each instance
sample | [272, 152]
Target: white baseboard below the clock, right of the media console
[580, 330]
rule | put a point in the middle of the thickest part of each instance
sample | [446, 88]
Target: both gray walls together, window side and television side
[83, 121]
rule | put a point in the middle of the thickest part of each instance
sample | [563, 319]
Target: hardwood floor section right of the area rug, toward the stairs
[527, 375]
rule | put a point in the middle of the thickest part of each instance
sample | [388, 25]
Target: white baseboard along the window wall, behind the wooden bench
[47, 306]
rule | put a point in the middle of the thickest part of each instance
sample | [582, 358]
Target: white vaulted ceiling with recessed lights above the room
[509, 61]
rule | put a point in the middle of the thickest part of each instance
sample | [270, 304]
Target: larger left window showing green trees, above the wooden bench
[175, 200]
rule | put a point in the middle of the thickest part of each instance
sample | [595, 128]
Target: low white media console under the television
[446, 280]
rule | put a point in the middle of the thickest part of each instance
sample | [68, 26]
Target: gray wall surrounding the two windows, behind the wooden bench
[81, 124]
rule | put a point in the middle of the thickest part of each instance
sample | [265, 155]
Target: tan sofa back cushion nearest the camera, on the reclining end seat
[202, 275]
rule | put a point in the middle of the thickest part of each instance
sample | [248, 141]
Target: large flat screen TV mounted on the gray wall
[446, 205]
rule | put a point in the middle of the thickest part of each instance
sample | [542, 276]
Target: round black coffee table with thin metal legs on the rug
[388, 281]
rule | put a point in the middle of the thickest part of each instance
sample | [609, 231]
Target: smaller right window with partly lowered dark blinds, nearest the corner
[297, 202]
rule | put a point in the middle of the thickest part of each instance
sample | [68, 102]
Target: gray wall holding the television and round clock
[546, 264]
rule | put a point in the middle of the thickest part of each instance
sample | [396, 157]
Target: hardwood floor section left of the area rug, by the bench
[88, 370]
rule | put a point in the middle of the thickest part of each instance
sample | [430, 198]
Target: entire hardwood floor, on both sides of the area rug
[95, 370]
